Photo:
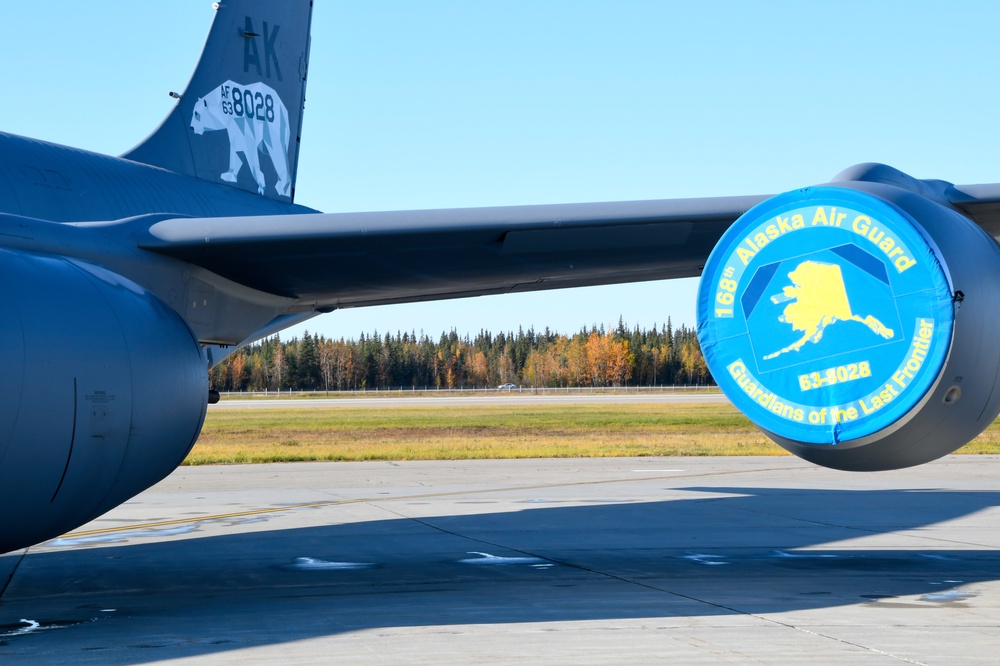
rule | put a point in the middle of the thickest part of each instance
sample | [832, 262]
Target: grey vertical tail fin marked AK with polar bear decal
[239, 120]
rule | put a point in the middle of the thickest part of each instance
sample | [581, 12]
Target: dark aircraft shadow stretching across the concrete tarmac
[705, 552]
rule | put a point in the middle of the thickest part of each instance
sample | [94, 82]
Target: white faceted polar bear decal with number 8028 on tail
[254, 117]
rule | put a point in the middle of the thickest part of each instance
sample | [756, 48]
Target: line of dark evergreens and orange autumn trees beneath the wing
[609, 356]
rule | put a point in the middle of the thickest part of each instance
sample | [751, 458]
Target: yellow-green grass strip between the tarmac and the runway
[469, 432]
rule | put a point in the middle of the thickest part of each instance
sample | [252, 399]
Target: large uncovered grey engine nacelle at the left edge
[104, 393]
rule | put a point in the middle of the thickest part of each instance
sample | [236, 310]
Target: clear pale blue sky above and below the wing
[437, 104]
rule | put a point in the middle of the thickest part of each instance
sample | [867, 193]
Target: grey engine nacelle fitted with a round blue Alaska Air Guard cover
[856, 324]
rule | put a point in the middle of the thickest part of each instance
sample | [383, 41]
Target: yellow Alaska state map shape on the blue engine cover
[819, 300]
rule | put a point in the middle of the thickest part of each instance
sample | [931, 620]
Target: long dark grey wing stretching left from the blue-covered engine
[354, 259]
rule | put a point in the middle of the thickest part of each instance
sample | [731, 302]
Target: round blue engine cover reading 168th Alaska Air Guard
[825, 314]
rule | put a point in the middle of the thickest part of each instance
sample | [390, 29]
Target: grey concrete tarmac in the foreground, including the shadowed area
[651, 560]
